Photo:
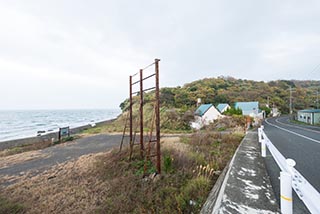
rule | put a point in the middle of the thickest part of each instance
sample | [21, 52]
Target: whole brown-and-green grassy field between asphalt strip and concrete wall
[111, 183]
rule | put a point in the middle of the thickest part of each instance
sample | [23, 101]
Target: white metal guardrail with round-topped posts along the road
[290, 179]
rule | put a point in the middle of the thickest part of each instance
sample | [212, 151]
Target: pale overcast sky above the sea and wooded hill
[79, 54]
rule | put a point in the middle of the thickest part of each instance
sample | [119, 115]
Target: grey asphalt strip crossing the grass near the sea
[64, 152]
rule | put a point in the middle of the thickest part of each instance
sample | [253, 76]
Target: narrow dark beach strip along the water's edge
[46, 137]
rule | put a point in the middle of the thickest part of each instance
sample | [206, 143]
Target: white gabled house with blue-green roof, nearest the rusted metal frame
[205, 114]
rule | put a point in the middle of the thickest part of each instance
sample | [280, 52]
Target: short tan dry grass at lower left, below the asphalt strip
[72, 187]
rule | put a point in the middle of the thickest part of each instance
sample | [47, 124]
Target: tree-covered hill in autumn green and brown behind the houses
[230, 90]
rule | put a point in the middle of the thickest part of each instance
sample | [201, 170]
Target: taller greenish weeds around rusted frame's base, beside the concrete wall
[189, 170]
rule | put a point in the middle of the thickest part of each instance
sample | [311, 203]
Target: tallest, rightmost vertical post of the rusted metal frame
[157, 110]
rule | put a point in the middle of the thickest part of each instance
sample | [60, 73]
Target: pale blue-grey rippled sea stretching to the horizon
[20, 124]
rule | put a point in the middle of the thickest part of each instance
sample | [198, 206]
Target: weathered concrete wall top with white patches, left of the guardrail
[244, 186]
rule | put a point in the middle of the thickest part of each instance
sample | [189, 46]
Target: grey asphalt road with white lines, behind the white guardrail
[298, 142]
